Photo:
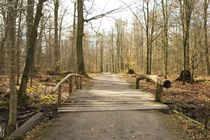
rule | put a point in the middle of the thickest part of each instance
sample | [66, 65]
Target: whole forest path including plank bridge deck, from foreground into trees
[110, 110]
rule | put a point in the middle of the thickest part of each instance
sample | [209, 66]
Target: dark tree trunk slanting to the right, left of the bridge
[31, 51]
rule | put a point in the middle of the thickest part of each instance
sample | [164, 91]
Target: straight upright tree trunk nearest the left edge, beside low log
[13, 92]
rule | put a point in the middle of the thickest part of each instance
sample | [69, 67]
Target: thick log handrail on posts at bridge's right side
[160, 84]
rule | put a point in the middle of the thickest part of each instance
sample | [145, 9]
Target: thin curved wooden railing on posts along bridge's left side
[69, 78]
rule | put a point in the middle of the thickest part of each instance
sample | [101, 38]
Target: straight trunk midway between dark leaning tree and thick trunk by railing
[56, 44]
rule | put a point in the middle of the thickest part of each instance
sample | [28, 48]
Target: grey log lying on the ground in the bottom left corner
[27, 126]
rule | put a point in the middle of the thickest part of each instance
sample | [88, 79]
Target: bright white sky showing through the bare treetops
[101, 6]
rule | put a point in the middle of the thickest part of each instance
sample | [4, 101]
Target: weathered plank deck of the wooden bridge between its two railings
[108, 92]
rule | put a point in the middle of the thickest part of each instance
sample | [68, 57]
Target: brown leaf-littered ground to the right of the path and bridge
[193, 100]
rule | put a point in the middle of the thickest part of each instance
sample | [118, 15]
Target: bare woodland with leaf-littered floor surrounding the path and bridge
[42, 41]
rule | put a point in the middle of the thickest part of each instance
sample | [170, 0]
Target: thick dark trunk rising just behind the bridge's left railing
[79, 43]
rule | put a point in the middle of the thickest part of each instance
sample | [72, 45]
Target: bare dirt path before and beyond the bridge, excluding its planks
[111, 125]
